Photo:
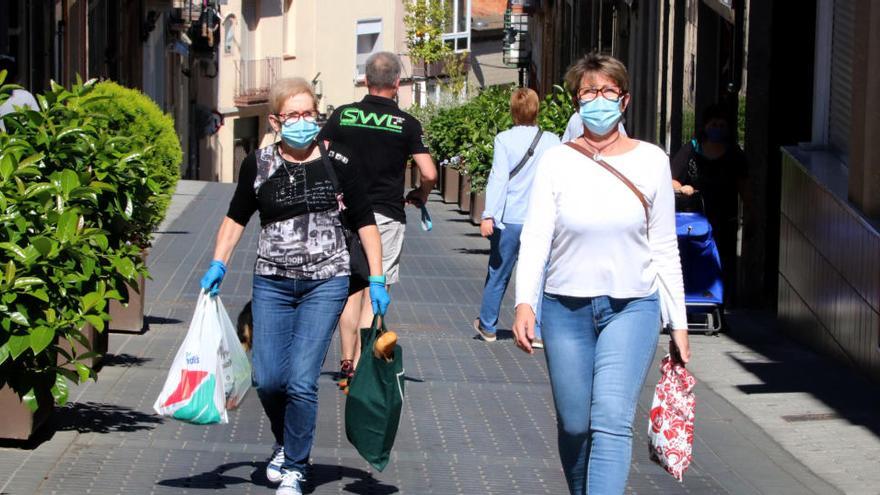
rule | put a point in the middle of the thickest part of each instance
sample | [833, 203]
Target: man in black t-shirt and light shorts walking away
[383, 137]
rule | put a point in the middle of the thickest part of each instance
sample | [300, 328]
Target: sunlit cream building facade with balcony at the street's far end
[327, 42]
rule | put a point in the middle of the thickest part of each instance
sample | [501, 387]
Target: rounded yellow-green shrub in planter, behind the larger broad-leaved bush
[129, 112]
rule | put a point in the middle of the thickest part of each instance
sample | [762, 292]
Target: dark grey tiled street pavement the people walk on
[478, 418]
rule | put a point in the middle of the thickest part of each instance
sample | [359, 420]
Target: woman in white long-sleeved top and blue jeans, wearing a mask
[613, 273]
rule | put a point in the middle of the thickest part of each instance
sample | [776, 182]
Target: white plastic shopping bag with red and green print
[207, 371]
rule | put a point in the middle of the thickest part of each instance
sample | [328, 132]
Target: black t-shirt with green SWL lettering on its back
[383, 137]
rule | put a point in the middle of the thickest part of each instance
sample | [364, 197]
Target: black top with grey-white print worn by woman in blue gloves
[301, 236]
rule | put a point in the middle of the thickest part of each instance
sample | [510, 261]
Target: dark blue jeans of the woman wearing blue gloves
[293, 324]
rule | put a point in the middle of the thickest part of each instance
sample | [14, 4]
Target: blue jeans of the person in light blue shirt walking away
[503, 253]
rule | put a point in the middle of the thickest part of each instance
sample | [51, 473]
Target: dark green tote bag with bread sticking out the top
[375, 399]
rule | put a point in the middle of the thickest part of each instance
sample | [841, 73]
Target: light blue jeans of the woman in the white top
[598, 352]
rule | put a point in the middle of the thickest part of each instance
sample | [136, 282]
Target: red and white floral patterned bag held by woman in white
[671, 428]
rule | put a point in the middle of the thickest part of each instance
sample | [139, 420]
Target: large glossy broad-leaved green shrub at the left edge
[66, 190]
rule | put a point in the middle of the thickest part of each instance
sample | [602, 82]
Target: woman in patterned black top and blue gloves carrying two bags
[299, 186]
